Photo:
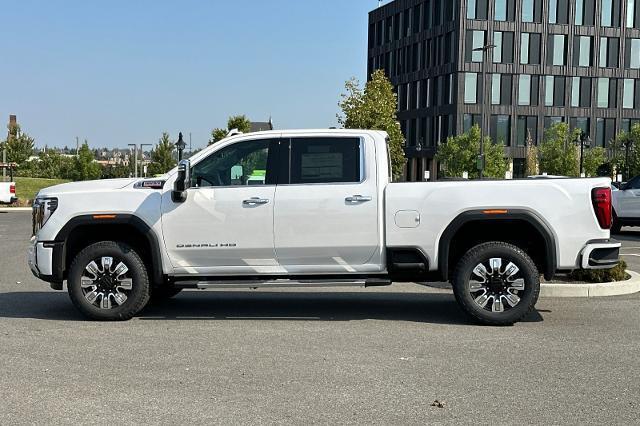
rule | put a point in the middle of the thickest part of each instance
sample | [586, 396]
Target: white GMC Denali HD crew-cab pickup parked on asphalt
[326, 213]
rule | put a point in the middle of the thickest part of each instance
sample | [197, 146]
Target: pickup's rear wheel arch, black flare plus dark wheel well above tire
[456, 237]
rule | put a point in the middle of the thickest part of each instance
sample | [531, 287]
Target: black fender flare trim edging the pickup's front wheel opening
[112, 219]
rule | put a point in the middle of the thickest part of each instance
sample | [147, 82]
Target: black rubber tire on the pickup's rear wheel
[527, 271]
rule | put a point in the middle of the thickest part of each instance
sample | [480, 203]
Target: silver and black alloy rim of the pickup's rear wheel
[496, 288]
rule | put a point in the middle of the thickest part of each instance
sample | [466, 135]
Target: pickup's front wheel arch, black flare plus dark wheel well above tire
[83, 230]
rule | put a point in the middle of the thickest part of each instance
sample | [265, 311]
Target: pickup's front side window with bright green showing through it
[240, 164]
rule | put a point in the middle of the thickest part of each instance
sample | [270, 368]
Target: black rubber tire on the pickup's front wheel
[137, 297]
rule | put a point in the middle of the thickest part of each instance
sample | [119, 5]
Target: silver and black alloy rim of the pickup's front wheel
[106, 286]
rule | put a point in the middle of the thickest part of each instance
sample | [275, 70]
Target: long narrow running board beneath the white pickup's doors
[282, 283]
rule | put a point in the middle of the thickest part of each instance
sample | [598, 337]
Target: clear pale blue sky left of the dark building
[118, 72]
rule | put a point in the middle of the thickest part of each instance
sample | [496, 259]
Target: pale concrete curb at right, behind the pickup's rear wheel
[617, 288]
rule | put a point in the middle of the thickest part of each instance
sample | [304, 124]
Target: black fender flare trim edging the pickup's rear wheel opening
[510, 214]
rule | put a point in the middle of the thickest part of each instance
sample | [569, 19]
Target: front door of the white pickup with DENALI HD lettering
[226, 223]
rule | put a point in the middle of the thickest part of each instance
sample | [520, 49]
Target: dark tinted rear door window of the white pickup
[325, 160]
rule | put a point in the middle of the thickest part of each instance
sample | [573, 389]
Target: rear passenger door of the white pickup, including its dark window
[326, 214]
